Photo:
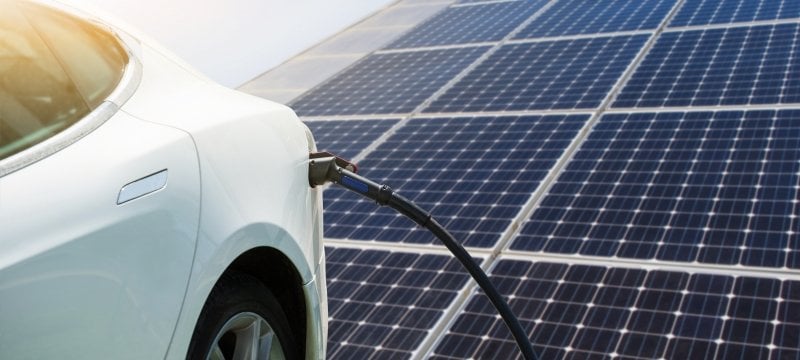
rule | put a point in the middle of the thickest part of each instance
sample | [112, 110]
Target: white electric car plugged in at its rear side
[146, 212]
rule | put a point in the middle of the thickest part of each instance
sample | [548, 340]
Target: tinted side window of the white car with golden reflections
[54, 70]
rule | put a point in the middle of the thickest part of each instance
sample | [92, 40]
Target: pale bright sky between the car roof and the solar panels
[236, 40]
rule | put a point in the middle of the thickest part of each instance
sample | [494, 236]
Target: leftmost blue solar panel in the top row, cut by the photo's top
[469, 24]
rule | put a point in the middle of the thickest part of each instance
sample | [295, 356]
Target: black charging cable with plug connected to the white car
[324, 167]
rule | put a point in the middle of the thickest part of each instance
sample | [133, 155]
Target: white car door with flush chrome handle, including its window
[98, 210]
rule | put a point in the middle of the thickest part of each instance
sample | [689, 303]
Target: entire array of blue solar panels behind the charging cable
[628, 172]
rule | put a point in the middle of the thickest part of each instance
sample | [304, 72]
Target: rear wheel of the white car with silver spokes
[242, 319]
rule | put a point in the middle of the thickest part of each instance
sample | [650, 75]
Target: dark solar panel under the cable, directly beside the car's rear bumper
[383, 304]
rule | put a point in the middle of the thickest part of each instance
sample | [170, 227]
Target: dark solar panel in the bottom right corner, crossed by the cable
[582, 311]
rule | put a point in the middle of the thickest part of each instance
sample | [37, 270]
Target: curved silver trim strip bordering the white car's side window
[131, 77]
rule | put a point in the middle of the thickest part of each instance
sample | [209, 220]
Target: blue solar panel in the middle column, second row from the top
[567, 74]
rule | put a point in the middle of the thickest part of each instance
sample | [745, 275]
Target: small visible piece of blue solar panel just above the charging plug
[347, 138]
